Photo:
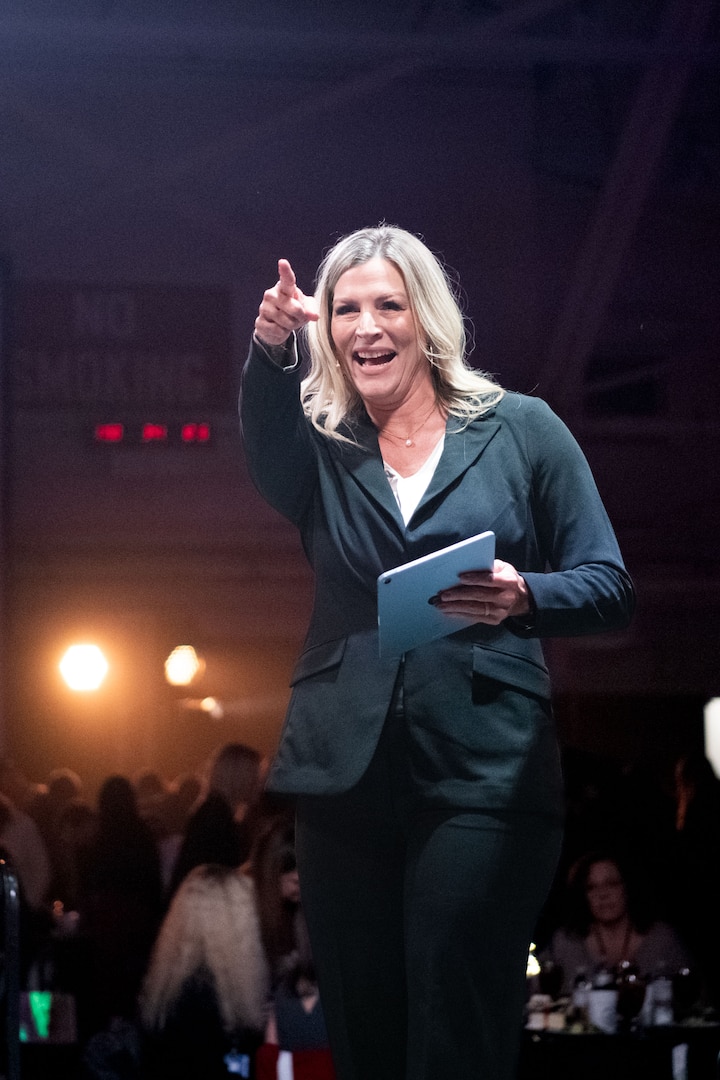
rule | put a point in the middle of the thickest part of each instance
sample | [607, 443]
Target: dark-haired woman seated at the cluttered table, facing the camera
[605, 926]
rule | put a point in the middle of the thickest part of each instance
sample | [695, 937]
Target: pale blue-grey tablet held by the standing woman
[405, 617]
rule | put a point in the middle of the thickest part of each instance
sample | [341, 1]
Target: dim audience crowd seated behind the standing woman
[170, 912]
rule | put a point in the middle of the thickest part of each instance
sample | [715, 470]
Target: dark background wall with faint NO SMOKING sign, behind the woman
[564, 158]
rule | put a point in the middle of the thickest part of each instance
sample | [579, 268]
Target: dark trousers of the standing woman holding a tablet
[420, 920]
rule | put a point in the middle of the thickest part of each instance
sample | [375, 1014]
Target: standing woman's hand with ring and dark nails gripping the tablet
[490, 597]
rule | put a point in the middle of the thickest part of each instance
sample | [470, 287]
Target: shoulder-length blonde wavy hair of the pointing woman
[329, 397]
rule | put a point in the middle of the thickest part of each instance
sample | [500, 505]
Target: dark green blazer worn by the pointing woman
[478, 701]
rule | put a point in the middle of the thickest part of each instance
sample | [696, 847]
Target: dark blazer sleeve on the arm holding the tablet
[586, 588]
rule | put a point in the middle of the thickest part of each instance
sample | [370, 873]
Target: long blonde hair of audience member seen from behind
[212, 928]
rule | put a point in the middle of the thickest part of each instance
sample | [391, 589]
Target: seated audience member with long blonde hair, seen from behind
[207, 990]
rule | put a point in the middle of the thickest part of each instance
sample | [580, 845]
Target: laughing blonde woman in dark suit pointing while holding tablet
[429, 801]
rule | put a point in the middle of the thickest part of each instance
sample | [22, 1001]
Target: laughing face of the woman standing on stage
[375, 335]
